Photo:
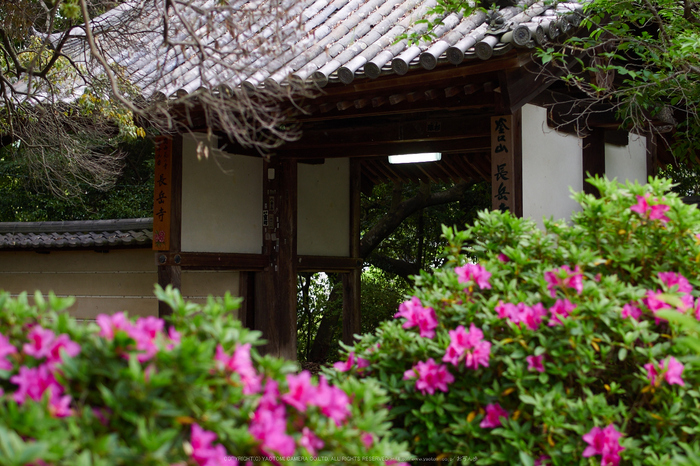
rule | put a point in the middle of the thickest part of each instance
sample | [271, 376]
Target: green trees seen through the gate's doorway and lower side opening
[401, 235]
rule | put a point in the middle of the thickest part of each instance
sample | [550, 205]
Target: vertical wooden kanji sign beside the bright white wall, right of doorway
[502, 163]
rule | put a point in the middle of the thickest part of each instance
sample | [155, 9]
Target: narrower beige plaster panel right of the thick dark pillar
[324, 208]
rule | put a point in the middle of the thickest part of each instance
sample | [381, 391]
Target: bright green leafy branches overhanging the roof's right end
[638, 58]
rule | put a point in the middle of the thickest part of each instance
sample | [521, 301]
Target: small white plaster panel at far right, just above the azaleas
[627, 163]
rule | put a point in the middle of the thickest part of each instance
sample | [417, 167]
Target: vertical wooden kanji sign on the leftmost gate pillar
[162, 194]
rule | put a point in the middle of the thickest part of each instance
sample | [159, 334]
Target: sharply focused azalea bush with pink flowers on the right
[550, 347]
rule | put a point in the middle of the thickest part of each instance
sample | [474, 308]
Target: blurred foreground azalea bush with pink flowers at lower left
[192, 391]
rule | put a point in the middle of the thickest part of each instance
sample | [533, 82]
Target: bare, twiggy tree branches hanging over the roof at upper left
[65, 106]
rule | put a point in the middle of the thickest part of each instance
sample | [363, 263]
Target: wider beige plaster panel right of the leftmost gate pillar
[221, 200]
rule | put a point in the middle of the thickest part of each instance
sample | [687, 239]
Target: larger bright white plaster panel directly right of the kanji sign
[552, 164]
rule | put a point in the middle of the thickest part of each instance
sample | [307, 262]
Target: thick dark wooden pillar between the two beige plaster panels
[276, 287]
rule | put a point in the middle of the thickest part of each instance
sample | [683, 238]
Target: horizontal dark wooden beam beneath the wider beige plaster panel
[213, 261]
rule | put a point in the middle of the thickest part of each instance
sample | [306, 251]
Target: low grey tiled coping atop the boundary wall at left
[76, 235]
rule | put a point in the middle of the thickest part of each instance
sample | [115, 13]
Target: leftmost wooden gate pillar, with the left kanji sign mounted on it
[167, 212]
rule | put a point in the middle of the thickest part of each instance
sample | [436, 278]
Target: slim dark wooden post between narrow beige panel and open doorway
[352, 313]
